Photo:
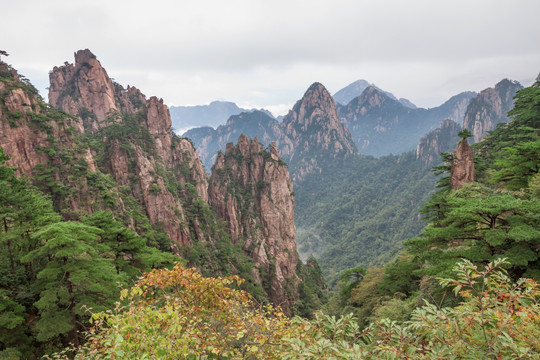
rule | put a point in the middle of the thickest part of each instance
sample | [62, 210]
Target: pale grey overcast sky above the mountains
[267, 53]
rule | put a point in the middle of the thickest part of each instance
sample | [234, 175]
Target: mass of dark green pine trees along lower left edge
[50, 268]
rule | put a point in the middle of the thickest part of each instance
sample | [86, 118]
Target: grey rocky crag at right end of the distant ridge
[490, 107]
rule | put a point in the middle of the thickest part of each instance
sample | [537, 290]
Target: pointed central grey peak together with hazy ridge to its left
[310, 135]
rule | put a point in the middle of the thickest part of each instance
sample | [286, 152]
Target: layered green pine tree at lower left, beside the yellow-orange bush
[73, 278]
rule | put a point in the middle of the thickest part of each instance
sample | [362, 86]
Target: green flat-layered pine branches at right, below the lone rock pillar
[481, 225]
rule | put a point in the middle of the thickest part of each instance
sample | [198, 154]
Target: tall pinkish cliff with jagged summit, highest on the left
[137, 132]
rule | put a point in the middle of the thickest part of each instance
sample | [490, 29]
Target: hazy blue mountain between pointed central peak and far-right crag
[382, 125]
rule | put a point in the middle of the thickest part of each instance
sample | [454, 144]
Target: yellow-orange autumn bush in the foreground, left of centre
[179, 314]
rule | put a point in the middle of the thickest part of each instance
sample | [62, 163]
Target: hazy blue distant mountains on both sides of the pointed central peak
[378, 123]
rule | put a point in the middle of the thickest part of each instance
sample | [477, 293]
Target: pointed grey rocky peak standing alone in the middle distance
[317, 134]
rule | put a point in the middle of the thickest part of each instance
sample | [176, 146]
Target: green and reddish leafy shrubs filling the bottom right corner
[497, 319]
